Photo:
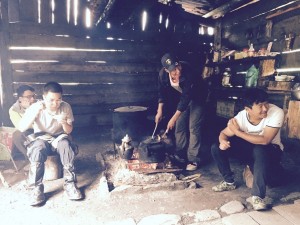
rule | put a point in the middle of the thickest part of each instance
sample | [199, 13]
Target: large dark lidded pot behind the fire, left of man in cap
[131, 120]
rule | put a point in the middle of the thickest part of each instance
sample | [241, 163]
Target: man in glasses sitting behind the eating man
[26, 97]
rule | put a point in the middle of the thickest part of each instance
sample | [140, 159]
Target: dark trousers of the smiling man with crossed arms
[262, 159]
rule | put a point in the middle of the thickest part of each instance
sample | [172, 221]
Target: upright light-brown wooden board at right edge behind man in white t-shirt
[293, 119]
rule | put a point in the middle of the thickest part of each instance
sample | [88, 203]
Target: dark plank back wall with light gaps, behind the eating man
[97, 73]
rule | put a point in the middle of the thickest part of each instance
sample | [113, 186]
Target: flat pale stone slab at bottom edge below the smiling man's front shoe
[269, 218]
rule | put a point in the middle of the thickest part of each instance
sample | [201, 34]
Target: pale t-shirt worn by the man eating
[46, 122]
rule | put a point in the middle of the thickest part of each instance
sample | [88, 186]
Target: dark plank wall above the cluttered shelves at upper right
[261, 23]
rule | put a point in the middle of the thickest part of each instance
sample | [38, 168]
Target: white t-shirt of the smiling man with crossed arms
[275, 118]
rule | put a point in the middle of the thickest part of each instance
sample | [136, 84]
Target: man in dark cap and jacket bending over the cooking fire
[182, 96]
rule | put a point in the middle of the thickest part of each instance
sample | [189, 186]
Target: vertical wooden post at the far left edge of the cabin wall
[6, 70]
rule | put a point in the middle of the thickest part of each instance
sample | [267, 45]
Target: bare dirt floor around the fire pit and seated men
[134, 203]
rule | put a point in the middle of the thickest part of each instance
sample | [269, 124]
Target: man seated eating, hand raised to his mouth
[52, 121]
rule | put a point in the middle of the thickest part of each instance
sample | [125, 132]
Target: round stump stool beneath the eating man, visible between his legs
[53, 168]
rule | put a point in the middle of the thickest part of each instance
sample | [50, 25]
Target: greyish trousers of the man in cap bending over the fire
[188, 133]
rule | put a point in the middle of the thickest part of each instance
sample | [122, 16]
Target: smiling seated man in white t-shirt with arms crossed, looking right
[253, 136]
